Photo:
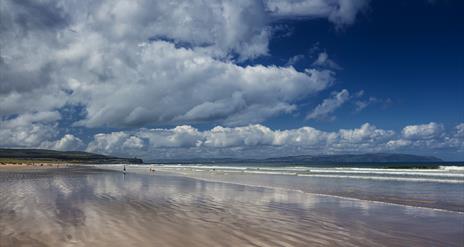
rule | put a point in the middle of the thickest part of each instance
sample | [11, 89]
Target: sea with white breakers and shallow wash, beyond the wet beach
[431, 188]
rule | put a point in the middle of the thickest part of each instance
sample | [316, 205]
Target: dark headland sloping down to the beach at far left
[44, 155]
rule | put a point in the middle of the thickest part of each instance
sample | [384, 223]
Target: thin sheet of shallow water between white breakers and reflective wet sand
[441, 195]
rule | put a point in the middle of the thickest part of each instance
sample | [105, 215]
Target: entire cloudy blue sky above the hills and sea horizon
[233, 78]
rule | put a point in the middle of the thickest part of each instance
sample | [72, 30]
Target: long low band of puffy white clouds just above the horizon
[261, 141]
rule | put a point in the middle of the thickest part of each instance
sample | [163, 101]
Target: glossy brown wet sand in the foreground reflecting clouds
[91, 207]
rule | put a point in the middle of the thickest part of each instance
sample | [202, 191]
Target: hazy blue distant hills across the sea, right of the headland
[318, 159]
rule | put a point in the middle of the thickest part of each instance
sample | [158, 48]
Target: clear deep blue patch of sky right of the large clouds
[414, 58]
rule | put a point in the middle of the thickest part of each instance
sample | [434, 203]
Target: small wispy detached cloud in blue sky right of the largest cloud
[329, 105]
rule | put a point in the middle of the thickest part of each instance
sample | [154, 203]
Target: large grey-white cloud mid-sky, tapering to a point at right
[180, 85]
